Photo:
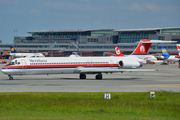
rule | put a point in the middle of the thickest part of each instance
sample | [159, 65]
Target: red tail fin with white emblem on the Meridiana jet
[142, 48]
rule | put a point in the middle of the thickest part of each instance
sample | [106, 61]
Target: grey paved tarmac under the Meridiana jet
[166, 79]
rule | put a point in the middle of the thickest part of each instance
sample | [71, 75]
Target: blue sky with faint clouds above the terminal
[20, 16]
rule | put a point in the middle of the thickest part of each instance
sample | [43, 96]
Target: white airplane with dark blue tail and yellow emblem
[17, 55]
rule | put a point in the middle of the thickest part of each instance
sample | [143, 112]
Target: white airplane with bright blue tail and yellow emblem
[166, 56]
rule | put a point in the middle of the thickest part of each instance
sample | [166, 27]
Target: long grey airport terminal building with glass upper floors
[93, 42]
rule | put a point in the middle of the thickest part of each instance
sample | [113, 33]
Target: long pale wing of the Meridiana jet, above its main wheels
[101, 70]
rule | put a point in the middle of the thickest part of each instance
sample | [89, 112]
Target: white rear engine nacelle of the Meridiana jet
[129, 64]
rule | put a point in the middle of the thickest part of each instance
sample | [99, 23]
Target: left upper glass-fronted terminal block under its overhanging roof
[82, 36]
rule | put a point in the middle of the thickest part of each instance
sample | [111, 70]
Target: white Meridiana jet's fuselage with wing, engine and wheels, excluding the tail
[77, 65]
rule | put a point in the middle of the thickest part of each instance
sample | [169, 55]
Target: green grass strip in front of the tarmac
[77, 106]
